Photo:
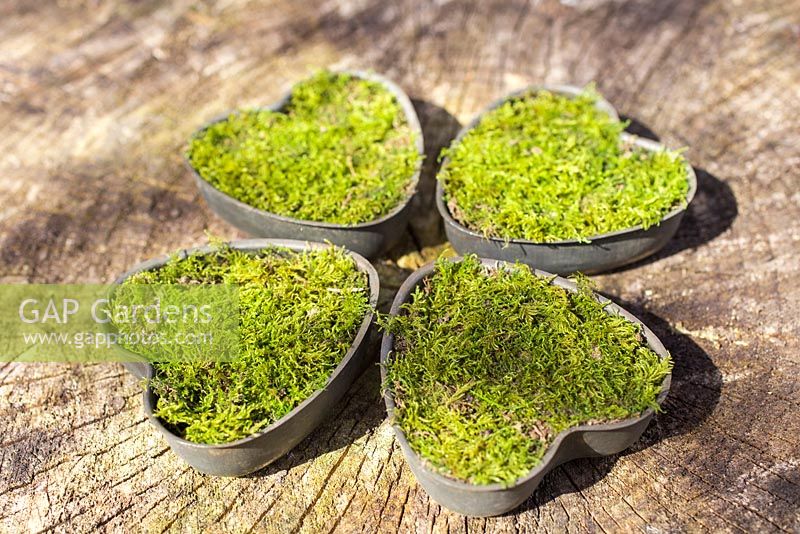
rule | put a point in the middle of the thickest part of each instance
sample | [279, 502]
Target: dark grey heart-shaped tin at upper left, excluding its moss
[368, 239]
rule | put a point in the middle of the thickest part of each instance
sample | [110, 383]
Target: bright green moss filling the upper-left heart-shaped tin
[341, 152]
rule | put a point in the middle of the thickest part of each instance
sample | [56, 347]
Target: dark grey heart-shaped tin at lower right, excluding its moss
[576, 442]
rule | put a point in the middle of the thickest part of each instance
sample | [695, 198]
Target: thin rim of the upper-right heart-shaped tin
[602, 104]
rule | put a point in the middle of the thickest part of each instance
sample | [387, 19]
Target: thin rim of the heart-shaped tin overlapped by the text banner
[254, 245]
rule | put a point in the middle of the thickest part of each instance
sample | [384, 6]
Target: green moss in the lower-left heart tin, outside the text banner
[299, 313]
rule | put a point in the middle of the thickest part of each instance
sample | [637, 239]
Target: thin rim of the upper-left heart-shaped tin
[279, 105]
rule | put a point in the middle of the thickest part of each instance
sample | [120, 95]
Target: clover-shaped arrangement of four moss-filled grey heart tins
[493, 372]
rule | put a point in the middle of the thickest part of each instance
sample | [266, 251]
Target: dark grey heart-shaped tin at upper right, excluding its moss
[602, 252]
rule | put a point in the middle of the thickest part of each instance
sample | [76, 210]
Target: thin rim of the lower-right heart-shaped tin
[544, 465]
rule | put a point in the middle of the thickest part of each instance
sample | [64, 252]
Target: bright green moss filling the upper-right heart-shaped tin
[544, 167]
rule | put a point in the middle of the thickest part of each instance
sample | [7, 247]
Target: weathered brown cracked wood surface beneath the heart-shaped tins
[98, 98]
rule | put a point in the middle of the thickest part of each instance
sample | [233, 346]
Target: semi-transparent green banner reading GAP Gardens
[118, 323]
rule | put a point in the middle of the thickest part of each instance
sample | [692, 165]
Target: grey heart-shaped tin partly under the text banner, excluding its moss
[249, 454]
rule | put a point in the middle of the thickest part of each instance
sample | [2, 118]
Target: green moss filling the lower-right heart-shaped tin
[491, 365]
